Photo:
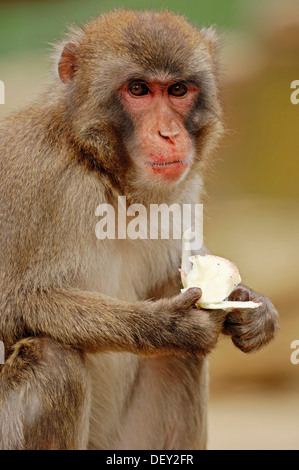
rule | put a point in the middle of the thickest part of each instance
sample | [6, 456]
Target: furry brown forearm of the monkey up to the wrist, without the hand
[85, 320]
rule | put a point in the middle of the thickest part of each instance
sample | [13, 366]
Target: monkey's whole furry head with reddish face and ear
[141, 96]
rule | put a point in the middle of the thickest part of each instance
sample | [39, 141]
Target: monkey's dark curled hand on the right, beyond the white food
[251, 329]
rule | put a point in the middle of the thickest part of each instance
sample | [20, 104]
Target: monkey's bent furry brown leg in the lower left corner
[44, 397]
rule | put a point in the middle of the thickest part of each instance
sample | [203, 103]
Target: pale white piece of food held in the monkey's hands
[217, 277]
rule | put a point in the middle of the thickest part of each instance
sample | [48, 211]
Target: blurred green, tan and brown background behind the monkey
[251, 212]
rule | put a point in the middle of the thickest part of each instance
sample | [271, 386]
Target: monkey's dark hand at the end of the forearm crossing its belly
[184, 328]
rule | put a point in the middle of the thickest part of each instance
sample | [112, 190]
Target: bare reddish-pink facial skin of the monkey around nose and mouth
[163, 146]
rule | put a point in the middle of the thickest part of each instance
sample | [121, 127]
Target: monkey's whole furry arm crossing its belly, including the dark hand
[94, 323]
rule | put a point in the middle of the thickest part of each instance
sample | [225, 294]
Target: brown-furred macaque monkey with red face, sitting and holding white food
[102, 349]
